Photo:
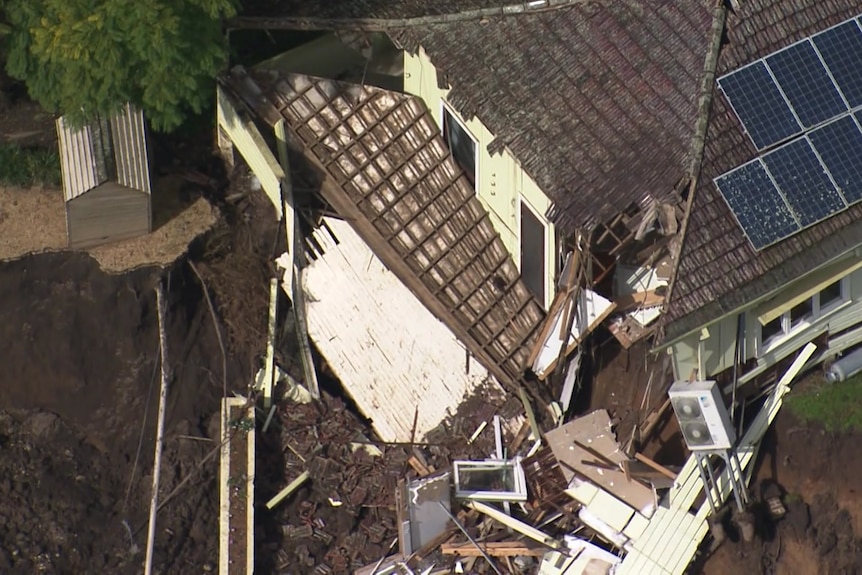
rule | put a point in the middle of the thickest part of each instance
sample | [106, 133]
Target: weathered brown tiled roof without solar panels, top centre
[596, 101]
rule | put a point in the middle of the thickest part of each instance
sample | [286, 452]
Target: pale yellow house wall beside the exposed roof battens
[501, 183]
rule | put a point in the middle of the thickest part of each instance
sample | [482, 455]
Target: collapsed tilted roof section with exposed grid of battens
[391, 176]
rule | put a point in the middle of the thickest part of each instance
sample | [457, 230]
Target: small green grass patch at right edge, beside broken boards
[836, 406]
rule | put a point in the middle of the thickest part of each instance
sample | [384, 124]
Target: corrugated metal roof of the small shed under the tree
[111, 149]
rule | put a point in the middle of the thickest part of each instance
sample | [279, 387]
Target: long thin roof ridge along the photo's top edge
[383, 24]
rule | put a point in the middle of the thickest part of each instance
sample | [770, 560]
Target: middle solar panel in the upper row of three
[807, 85]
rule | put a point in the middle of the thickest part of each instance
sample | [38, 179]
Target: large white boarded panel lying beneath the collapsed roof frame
[393, 369]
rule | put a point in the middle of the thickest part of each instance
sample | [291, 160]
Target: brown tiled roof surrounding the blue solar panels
[718, 269]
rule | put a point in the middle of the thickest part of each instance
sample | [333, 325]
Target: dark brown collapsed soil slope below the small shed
[78, 373]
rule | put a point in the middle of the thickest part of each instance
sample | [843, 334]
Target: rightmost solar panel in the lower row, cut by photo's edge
[839, 144]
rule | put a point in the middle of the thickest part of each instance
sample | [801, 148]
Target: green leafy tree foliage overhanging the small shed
[88, 57]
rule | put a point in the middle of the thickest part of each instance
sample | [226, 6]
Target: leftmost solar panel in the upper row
[759, 105]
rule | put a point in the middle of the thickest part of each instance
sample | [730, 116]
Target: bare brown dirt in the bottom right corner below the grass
[818, 474]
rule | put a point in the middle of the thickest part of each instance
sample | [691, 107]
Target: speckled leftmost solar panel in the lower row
[757, 204]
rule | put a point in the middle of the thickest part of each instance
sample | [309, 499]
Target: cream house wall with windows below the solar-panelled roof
[712, 350]
